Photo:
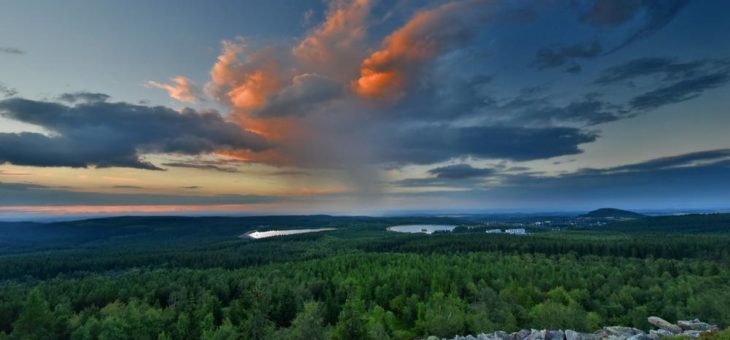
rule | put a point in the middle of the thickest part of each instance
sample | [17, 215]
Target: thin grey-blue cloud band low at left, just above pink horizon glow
[20, 194]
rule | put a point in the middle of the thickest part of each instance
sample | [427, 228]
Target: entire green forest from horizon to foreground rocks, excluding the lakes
[180, 278]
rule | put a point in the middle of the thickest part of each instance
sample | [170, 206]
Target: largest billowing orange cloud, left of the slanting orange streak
[264, 86]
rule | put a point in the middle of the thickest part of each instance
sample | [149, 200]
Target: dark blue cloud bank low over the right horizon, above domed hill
[697, 178]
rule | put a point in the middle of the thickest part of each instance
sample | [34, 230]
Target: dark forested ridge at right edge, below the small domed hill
[693, 223]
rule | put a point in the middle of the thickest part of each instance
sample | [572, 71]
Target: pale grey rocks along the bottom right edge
[687, 328]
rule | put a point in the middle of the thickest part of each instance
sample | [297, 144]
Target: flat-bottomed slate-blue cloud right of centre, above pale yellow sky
[433, 144]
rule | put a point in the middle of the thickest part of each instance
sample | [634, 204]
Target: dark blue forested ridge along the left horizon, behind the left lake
[145, 231]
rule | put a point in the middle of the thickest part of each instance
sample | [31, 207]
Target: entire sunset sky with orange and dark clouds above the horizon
[362, 106]
